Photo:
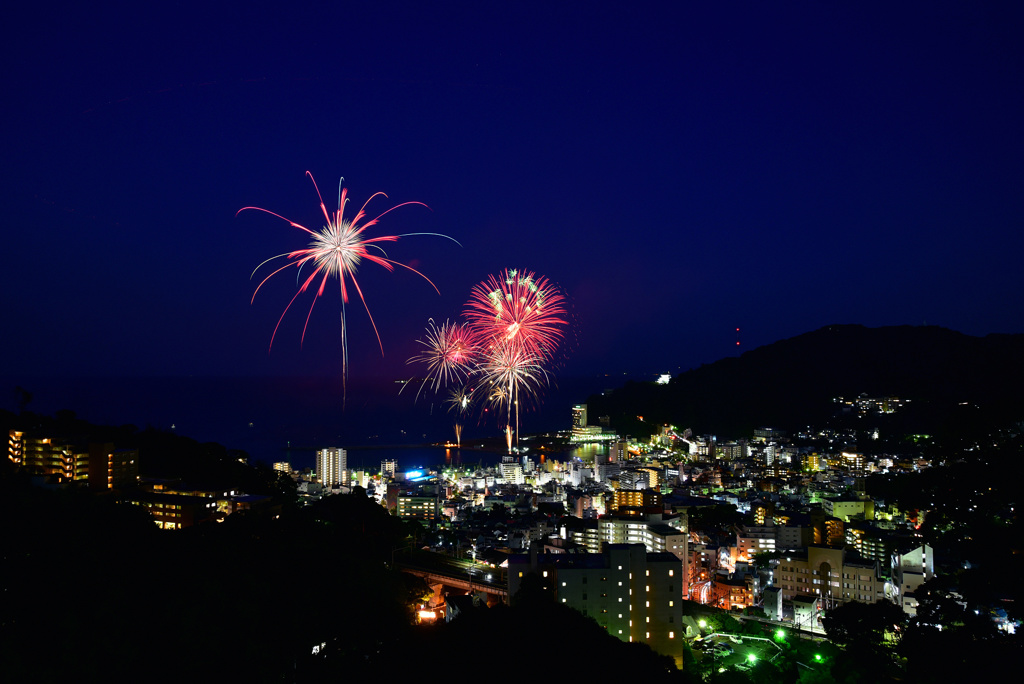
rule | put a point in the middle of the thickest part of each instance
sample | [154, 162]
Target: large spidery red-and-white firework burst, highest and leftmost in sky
[336, 250]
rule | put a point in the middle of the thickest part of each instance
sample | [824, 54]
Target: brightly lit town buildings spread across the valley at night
[650, 539]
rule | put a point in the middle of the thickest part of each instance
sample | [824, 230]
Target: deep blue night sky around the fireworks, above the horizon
[680, 173]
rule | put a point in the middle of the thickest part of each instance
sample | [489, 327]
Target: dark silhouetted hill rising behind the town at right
[955, 381]
